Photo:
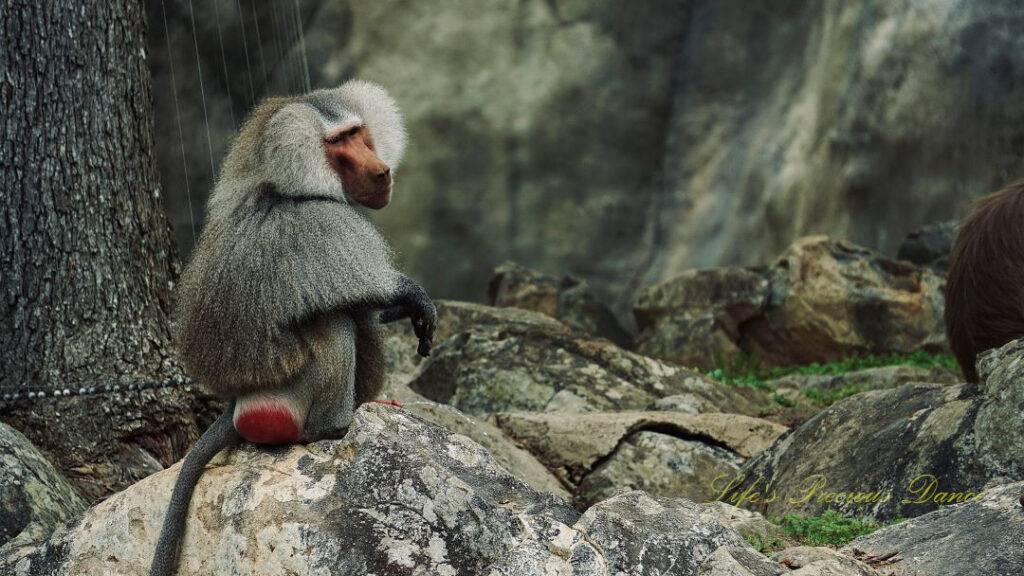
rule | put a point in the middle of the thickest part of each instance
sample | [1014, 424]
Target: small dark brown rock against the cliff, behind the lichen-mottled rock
[570, 300]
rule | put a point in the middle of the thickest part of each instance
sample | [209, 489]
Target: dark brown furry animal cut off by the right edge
[986, 286]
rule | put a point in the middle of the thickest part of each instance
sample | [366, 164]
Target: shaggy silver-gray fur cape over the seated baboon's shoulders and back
[265, 269]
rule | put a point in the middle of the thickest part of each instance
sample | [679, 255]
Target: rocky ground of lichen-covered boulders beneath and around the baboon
[534, 441]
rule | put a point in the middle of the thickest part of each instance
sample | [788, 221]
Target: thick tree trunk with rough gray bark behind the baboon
[87, 253]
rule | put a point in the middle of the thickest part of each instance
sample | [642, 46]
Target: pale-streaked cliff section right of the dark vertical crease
[857, 119]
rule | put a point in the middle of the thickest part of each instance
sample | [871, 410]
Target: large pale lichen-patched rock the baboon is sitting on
[397, 495]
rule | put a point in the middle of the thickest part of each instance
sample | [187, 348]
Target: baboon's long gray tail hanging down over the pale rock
[221, 435]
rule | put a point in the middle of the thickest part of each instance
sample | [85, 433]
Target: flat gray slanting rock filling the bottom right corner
[982, 538]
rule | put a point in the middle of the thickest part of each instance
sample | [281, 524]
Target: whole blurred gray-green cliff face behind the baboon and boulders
[628, 144]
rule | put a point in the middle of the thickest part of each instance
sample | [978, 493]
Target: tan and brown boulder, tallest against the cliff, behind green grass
[840, 300]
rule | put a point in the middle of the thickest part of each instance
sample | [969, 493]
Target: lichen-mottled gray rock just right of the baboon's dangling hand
[521, 367]
